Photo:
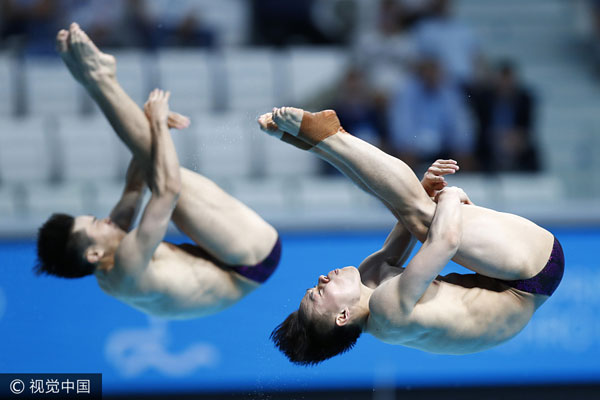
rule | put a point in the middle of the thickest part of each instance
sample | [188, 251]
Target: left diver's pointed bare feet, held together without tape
[87, 64]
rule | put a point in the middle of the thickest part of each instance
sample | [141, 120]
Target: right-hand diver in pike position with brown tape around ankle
[517, 264]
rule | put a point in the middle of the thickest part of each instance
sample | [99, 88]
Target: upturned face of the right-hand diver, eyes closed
[334, 292]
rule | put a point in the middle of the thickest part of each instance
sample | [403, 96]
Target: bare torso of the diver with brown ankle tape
[458, 314]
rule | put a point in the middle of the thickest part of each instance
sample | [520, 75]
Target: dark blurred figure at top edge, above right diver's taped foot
[280, 23]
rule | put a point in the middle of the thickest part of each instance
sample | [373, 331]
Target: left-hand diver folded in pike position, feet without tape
[234, 250]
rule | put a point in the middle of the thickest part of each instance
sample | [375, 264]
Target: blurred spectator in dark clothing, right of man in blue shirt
[504, 113]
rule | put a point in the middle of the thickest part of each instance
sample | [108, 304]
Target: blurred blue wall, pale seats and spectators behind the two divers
[510, 89]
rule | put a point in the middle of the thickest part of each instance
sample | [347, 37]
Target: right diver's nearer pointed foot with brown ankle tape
[309, 127]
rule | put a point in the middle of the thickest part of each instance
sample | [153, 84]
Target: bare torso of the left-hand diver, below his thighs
[180, 282]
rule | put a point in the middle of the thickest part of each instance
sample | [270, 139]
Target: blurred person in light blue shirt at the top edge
[441, 32]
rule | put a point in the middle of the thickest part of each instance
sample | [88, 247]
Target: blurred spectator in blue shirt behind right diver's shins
[429, 119]
